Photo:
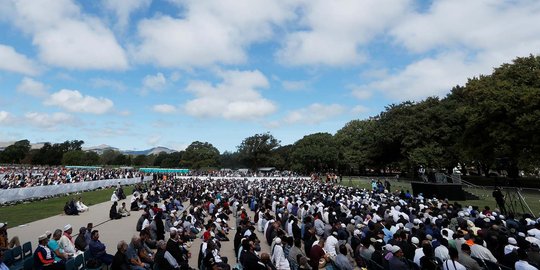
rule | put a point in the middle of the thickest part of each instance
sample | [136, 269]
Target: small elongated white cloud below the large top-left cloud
[74, 101]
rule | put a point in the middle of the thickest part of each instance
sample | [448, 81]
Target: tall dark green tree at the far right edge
[502, 113]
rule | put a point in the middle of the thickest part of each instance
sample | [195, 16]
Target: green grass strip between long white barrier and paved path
[31, 211]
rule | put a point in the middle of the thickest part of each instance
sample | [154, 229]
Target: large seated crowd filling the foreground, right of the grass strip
[310, 224]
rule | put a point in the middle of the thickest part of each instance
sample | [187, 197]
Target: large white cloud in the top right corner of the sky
[475, 25]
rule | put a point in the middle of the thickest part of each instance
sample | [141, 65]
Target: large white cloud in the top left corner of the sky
[66, 37]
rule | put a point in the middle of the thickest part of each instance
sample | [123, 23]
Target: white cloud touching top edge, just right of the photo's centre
[335, 32]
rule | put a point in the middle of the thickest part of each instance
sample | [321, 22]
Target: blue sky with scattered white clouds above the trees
[141, 73]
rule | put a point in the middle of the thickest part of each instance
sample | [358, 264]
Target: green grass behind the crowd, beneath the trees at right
[532, 197]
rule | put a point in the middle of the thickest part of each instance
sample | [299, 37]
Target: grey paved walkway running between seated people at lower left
[113, 231]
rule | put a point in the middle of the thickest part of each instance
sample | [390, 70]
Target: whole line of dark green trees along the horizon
[490, 123]
